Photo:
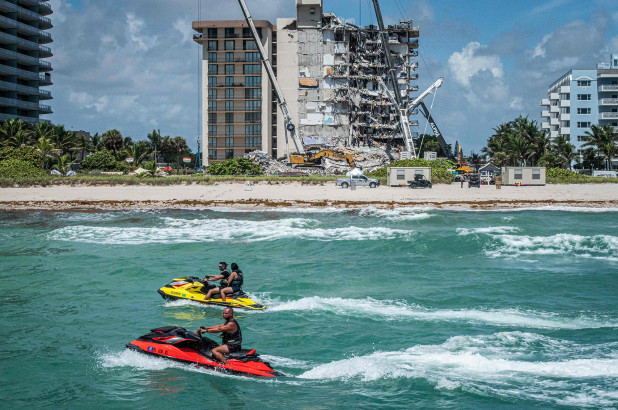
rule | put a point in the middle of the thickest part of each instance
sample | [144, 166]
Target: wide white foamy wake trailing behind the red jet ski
[515, 365]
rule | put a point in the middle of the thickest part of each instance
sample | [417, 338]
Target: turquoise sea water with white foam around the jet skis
[395, 308]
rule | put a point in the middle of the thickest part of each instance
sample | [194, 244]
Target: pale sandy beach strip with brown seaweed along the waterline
[296, 194]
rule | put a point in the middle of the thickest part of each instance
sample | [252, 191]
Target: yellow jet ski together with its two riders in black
[192, 288]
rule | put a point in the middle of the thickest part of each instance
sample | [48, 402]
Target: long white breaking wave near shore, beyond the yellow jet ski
[217, 230]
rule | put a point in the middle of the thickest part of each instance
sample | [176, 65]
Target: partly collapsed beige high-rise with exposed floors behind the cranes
[333, 76]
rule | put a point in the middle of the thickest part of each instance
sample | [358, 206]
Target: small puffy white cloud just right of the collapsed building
[467, 64]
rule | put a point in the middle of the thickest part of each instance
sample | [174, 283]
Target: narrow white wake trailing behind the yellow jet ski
[381, 310]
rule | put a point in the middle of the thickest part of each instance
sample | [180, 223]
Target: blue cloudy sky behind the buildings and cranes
[132, 64]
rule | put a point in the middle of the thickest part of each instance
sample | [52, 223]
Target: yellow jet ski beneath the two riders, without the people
[192, 288]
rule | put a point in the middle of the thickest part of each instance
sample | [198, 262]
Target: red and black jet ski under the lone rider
[177, 343]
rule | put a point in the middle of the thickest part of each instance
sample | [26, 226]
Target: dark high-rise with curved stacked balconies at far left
[22, 69]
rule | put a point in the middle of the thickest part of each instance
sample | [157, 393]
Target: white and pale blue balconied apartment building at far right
[582, 98]
